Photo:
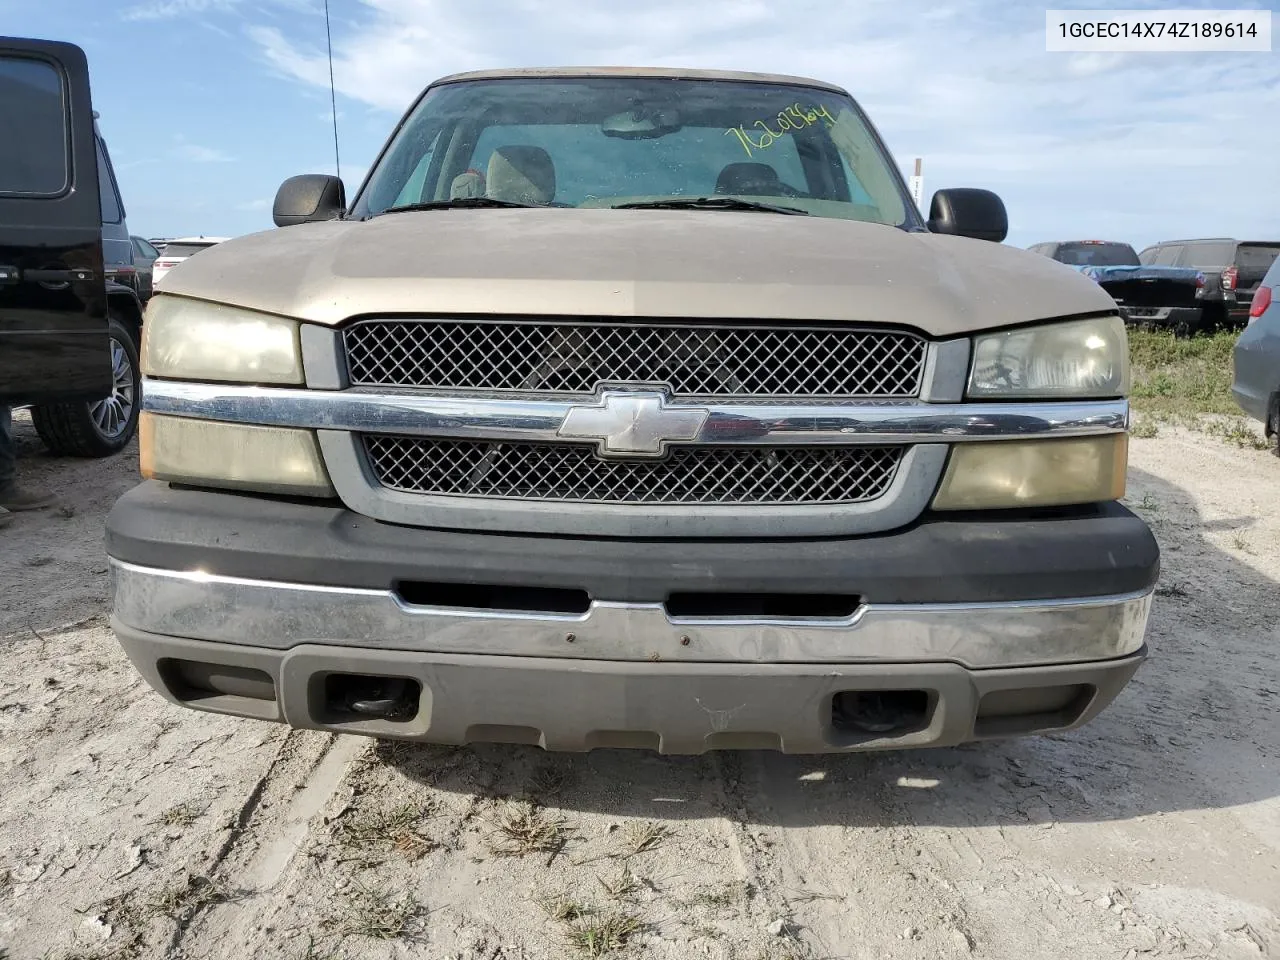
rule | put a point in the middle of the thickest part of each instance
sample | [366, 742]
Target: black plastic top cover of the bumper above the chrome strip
[1096, 551]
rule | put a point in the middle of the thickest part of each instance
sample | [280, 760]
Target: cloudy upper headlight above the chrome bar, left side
[193, 340]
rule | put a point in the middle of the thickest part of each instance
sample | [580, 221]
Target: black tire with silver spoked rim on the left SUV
[106, 427]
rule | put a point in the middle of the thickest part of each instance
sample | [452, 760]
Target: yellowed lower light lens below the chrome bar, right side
[1035, 473]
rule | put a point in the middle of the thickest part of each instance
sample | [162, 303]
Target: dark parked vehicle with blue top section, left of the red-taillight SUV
[1160, 296]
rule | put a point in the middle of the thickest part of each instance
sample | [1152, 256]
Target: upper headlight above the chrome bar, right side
[1082, 359]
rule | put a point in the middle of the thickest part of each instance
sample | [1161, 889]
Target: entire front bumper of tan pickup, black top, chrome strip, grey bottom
[995, 628]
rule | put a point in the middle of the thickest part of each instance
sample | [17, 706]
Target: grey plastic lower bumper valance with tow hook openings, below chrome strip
[675, 708]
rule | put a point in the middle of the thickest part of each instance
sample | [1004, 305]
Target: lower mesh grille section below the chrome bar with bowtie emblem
[573, 473]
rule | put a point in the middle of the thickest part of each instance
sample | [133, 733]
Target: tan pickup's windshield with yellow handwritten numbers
[606, 141]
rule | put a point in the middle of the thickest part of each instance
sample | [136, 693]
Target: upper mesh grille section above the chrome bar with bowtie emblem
[569, 358]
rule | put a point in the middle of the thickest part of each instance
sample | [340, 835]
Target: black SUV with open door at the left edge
[71, 317]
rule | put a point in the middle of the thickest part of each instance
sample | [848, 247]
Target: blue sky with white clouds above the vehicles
[209, 104]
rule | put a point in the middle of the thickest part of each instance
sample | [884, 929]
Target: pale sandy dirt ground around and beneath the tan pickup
[131, 829]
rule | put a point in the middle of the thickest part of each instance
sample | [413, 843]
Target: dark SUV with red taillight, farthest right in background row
[1233, 271]
